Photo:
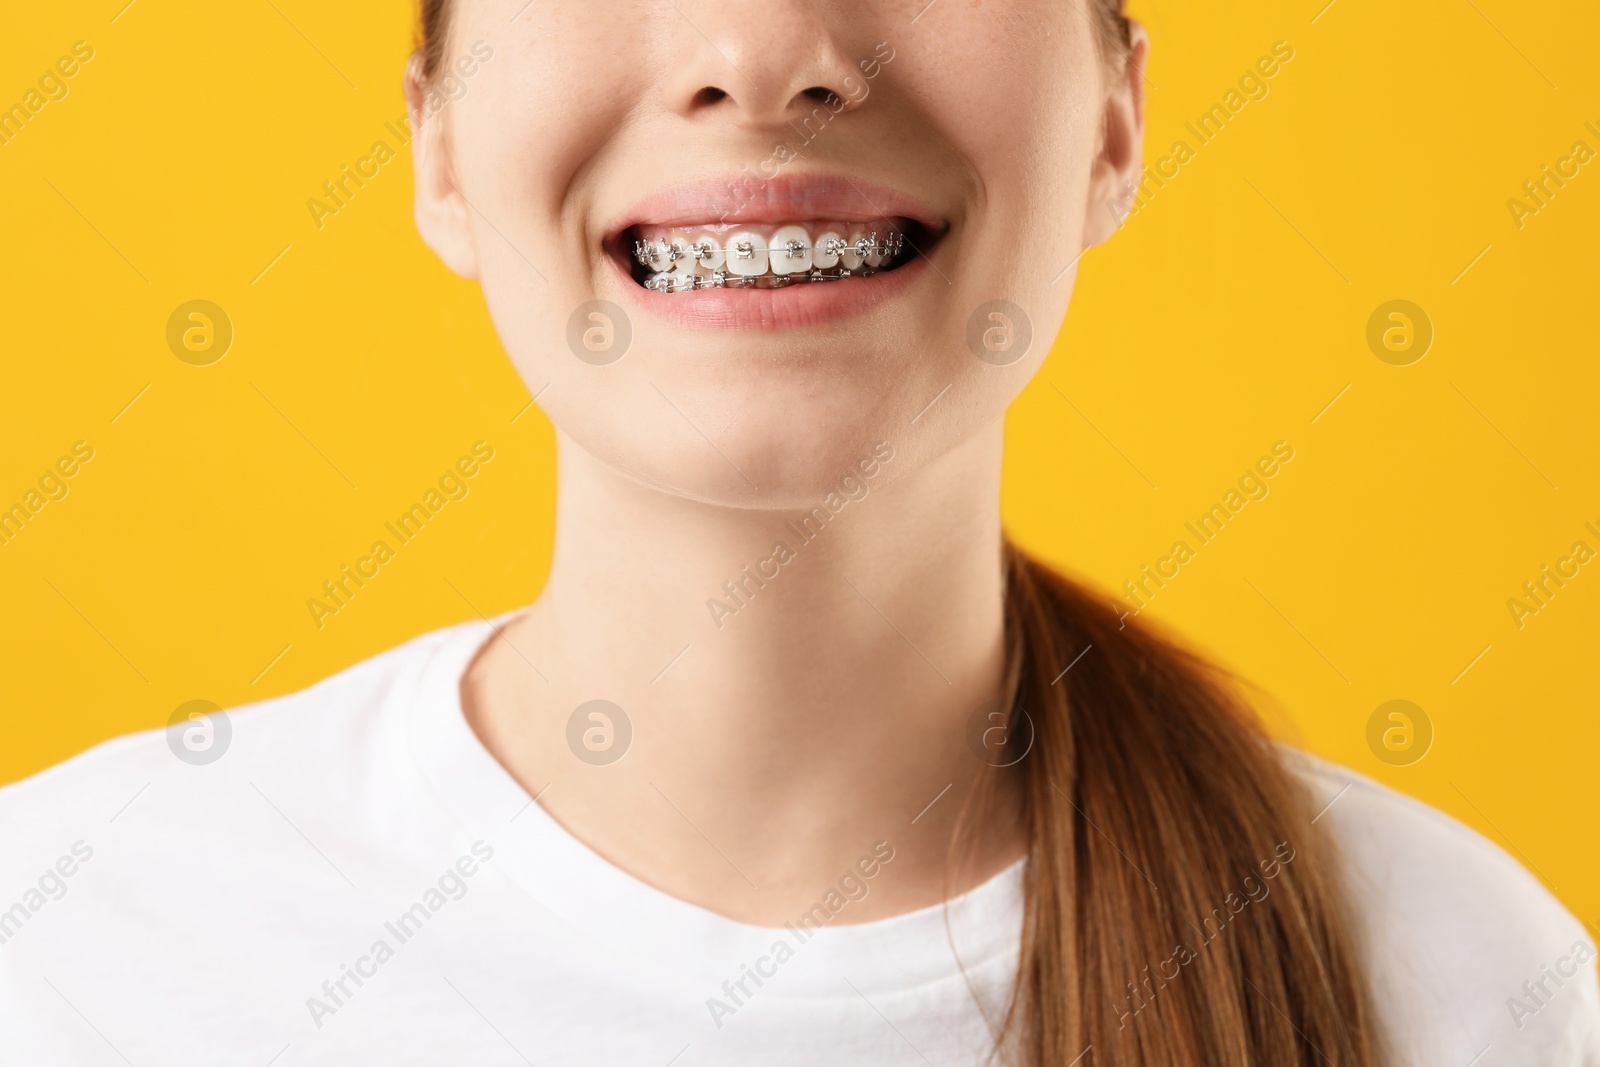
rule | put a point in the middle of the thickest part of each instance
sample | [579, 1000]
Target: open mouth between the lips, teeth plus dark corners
[766, 257]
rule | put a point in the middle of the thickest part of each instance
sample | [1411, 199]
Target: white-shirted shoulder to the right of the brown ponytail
[1468, 954]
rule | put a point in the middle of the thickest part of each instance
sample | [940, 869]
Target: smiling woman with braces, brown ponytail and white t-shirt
[796, 759]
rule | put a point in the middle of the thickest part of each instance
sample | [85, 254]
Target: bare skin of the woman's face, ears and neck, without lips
[834, 708]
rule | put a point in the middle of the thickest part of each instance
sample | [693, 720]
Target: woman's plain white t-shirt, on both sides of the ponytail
[356, 881]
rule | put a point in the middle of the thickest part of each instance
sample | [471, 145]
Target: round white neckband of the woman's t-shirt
[681, 941]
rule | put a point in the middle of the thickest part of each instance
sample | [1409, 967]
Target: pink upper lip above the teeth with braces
[751, 199]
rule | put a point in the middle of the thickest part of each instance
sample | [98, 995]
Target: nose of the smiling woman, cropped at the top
[761, 65]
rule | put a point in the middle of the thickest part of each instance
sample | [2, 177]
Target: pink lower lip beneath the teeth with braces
[794, 306]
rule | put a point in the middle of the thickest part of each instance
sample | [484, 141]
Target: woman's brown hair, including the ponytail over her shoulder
[1178, 908]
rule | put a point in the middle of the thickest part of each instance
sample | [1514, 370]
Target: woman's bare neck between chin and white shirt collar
[799, 684]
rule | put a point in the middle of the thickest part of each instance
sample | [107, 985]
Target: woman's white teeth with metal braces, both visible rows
[706, 260]
